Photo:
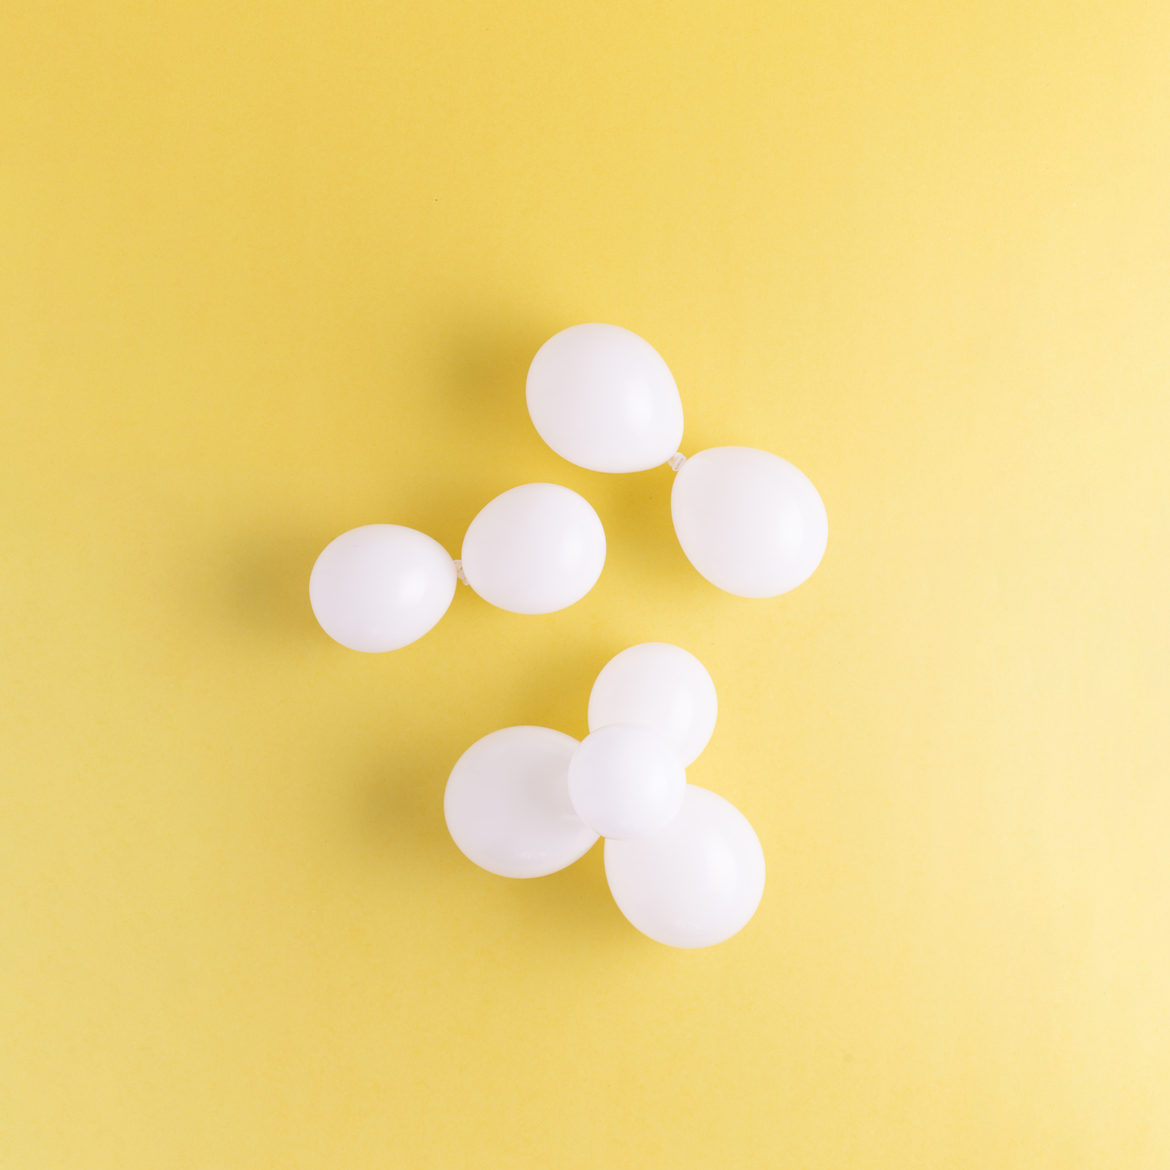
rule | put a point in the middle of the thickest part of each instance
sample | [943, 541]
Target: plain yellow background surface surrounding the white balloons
[272, 271]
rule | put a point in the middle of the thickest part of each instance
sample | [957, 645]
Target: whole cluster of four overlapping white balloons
[684, 865]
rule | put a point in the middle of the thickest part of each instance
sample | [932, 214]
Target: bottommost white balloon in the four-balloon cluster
[696, 884]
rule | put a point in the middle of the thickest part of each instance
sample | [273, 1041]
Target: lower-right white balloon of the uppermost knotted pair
[749, 521]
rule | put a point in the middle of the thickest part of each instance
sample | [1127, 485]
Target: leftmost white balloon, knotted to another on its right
[381, 587]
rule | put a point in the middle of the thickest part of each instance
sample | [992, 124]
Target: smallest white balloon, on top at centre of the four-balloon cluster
[627, 782]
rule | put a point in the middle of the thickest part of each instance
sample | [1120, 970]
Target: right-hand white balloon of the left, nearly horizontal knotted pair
[534, 549]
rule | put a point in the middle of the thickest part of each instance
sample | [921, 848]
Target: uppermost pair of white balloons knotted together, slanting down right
[749, 521]
